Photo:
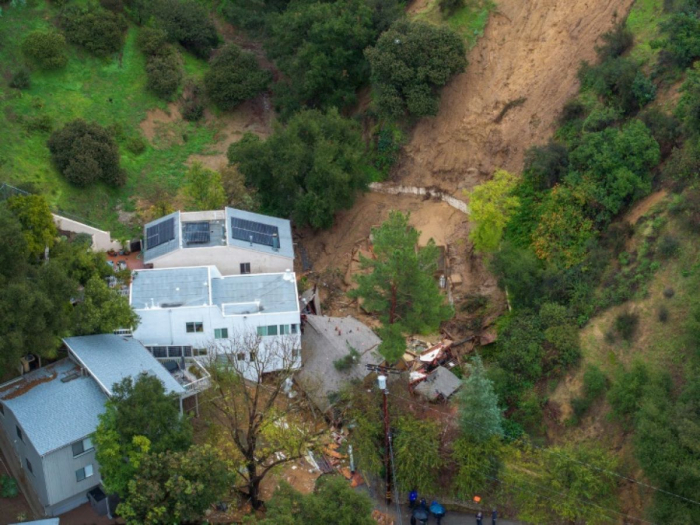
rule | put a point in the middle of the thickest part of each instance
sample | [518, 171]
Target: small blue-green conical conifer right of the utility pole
[480, 417]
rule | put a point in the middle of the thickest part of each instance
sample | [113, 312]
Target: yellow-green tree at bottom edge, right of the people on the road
[571, 484]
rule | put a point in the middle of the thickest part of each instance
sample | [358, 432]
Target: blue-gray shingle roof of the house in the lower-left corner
[54, 414]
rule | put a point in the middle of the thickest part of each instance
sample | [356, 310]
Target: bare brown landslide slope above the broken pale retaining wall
[530, 50]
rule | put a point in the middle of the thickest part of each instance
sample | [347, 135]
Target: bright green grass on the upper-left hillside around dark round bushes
[111, 92]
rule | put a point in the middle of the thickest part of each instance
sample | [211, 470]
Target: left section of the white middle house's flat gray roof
[170, 287]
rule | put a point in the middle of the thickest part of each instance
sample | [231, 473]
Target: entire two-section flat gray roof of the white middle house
[234, 294]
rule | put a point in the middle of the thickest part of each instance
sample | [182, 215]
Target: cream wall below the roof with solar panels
[226, 258]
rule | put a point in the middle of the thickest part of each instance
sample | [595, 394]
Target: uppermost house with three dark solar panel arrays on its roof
[235, 241]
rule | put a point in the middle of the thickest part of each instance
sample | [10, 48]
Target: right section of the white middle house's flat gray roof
[265, 293]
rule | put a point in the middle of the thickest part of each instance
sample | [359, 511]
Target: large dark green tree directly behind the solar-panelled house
[308, 170]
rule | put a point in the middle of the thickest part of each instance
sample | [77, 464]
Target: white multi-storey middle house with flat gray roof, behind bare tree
[199, 312]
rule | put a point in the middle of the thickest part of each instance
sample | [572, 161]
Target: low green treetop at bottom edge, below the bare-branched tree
[333, 501]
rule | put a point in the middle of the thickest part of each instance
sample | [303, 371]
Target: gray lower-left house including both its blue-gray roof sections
[49, 415]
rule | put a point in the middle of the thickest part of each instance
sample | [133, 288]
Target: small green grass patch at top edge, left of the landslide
[468, 21]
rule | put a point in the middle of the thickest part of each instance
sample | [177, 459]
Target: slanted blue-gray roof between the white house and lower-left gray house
[110, 358]
